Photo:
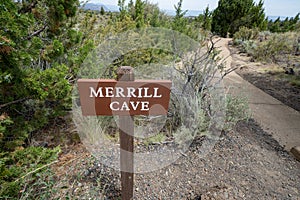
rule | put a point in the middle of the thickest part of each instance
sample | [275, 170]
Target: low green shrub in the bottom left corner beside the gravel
[22, 168]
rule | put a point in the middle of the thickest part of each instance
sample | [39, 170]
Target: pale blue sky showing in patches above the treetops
[288, 8]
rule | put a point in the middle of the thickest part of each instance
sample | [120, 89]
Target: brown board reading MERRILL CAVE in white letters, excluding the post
[110, 97]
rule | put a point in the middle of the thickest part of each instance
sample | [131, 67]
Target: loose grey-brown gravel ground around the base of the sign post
[246, 163]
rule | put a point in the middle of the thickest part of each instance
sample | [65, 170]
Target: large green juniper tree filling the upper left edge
[34, 36]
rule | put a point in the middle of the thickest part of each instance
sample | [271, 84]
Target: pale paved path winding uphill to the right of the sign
[279, 120]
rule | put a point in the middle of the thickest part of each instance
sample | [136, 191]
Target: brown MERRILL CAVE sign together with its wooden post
[124, 97]
